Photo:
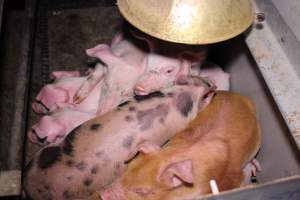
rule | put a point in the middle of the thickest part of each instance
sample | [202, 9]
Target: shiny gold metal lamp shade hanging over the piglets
[189, 21]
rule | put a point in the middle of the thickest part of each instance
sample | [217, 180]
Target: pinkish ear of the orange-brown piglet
[176, 174]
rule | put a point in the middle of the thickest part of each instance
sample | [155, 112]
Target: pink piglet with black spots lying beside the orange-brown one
[97, 152]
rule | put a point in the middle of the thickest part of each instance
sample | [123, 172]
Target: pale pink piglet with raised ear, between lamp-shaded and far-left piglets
[124, 61]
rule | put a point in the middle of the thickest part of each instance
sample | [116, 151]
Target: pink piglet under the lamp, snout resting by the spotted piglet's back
[166, 62]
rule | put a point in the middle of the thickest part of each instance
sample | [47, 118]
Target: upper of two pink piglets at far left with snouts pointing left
[60, 93]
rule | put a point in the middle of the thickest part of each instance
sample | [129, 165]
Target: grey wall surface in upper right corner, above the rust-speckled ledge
[283, 22]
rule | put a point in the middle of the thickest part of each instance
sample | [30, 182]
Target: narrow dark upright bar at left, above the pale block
[18, 128]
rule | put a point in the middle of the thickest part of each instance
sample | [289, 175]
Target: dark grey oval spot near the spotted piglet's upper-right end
[184, 103]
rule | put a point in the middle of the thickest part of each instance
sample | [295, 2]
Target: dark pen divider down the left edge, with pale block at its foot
[16, 57]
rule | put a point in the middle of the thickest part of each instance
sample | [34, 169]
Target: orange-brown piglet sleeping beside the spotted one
[217, 145]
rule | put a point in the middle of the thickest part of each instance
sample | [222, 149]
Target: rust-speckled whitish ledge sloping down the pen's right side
[278, 71]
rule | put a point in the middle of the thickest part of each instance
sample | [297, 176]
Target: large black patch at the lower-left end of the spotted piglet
[49, 156]
